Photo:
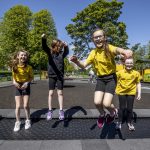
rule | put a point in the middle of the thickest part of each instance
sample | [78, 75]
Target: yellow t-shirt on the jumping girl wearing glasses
[101, 63]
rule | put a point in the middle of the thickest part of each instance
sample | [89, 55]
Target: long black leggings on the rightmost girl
[126, 103]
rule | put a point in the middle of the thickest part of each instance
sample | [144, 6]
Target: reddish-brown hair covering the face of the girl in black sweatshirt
[56, 46]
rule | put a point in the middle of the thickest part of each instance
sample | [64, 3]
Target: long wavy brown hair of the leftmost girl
[15, 61]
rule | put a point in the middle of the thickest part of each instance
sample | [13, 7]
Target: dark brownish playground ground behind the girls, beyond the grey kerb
[76, 93]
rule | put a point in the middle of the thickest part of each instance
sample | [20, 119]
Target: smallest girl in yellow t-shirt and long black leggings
[128, 84]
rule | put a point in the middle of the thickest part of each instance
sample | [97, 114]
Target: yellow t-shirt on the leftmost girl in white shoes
[23, 74]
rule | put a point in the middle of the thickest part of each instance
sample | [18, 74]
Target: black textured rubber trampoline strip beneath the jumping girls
[71, 129]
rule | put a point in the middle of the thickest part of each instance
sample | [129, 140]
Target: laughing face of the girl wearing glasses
[99, 38]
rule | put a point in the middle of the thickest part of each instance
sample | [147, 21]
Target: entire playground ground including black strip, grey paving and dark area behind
[79, 130]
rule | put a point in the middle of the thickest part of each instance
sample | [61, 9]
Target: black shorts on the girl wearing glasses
[106, 83]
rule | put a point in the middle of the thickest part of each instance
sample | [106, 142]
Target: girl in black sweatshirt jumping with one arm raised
[56, 54]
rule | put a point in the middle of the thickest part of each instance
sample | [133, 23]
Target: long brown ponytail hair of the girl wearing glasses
[105, 46]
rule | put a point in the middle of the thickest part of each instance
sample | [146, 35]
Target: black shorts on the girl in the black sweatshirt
[54, 81]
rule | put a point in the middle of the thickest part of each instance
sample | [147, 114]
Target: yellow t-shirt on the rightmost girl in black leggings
[127, 82]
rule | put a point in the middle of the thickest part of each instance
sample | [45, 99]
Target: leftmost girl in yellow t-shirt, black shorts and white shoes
[22, 76]
